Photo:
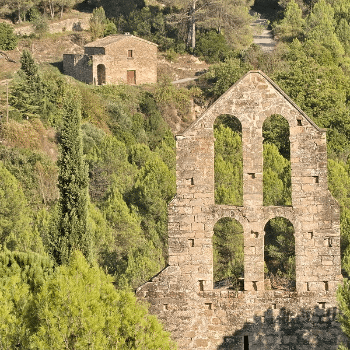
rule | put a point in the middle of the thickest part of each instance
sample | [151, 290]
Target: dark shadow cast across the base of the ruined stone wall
[281, 329]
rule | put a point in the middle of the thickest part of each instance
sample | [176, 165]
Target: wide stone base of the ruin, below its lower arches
[222, 319]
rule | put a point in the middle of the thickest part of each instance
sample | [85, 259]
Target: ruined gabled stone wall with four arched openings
[182, 295]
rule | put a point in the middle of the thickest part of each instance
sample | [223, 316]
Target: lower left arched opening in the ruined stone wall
[228, 254]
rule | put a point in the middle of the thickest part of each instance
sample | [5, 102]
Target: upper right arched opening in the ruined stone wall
[277, 169]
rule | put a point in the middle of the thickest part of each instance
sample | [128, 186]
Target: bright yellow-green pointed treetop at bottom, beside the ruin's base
[79, 307]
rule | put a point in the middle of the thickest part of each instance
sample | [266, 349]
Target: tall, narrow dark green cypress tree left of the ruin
[73, 186]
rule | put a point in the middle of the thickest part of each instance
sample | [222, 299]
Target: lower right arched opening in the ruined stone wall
[279, 254]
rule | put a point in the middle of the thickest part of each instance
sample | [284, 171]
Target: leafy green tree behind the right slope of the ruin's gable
[321, 89]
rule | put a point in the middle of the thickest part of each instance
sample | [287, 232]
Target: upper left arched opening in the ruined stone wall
[228, 164]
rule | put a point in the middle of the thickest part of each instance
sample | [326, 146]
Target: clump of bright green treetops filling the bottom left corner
[74, 306]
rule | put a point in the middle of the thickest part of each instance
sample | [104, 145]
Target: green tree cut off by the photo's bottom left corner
[21, 278]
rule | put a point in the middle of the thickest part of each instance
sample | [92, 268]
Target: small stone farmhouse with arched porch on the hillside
[114, 59]
